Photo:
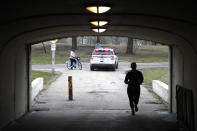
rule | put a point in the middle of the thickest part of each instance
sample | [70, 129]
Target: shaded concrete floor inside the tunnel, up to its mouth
[94, 120]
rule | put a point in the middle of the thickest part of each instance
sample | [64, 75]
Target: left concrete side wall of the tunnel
[13, 91]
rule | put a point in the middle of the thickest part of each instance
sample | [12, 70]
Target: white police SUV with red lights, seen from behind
[103, 57]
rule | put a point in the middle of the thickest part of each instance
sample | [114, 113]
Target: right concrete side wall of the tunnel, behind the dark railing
[184, 63]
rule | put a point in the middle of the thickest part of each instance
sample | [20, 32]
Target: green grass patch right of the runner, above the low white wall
[155, 74]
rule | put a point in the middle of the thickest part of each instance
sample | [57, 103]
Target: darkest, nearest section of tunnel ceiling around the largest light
[185, 11]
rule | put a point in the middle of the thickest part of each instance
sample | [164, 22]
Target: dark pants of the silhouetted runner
[134, 95]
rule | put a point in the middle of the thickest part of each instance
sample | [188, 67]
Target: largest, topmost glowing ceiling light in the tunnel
[98, 9]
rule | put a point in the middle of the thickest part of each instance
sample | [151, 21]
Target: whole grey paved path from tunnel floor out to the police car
[100, 104]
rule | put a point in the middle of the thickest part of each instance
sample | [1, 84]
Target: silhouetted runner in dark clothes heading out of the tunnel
[133, 78]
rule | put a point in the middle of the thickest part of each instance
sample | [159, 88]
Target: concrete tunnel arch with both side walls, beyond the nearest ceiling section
[14, 53]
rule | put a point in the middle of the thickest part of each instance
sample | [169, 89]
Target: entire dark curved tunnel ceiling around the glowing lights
[43, 20]
